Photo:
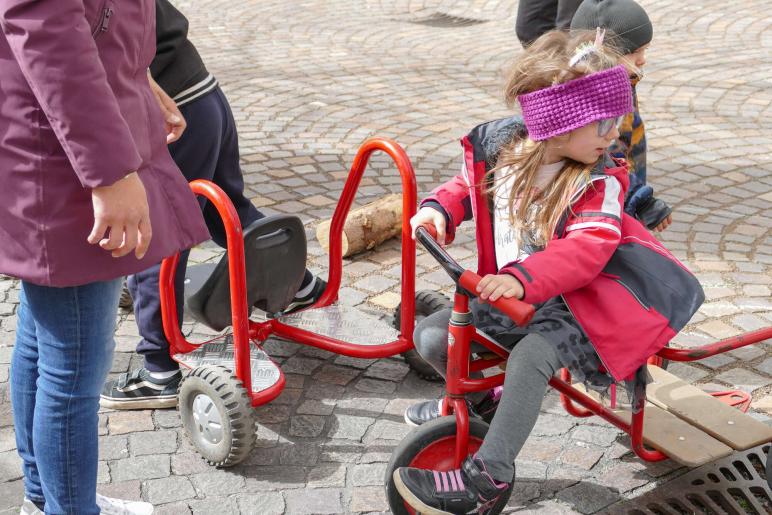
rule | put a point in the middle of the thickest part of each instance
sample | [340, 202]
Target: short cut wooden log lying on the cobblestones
[367, 226]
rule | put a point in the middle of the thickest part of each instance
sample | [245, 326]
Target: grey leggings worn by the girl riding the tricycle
[531, 364]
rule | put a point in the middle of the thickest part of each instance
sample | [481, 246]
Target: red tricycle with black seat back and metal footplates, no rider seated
[262, 268]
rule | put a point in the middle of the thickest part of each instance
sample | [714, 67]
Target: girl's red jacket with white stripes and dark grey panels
[629, 294]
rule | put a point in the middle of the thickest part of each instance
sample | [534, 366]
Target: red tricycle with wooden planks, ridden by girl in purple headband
[672, 419]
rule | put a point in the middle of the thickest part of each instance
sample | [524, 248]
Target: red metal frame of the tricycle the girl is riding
[459, 383]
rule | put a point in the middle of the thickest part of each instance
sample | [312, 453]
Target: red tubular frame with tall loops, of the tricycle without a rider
[245, 330]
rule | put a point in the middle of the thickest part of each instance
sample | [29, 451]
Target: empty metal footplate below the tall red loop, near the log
[344, 323]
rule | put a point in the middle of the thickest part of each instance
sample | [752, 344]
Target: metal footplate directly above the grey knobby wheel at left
[265, 373]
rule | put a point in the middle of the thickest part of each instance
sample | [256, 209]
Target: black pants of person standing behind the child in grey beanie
[535, 17]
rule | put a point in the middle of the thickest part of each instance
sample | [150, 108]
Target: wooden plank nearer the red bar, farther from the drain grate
[725, 423]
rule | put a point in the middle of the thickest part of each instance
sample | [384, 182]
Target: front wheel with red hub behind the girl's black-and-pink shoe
[437, 436]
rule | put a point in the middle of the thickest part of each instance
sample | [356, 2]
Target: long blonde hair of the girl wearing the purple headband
[543, 64]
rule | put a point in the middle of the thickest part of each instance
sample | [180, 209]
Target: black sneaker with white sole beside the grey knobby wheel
[137, 389]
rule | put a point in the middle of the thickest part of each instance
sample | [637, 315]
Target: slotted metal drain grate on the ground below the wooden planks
[735, 485]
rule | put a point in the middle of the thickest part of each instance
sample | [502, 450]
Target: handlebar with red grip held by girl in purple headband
[520, 312]
